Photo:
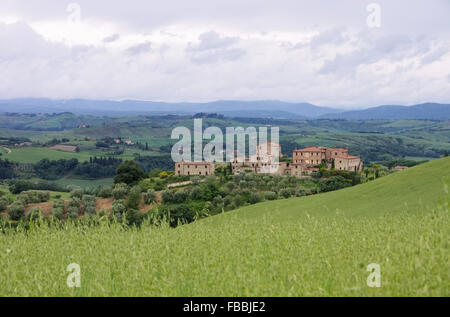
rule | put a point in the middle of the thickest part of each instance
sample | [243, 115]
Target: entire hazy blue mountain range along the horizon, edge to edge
[231, 108]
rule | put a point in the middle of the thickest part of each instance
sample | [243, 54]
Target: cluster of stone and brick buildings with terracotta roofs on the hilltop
[303, 163]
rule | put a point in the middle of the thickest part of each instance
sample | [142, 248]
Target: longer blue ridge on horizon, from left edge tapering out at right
[254, 109]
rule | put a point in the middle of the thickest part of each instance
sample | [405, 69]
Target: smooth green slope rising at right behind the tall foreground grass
[413, 190]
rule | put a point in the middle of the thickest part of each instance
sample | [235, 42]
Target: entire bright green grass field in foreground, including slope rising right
[310, 246]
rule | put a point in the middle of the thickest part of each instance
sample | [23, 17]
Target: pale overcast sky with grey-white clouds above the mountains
[332, 54]
